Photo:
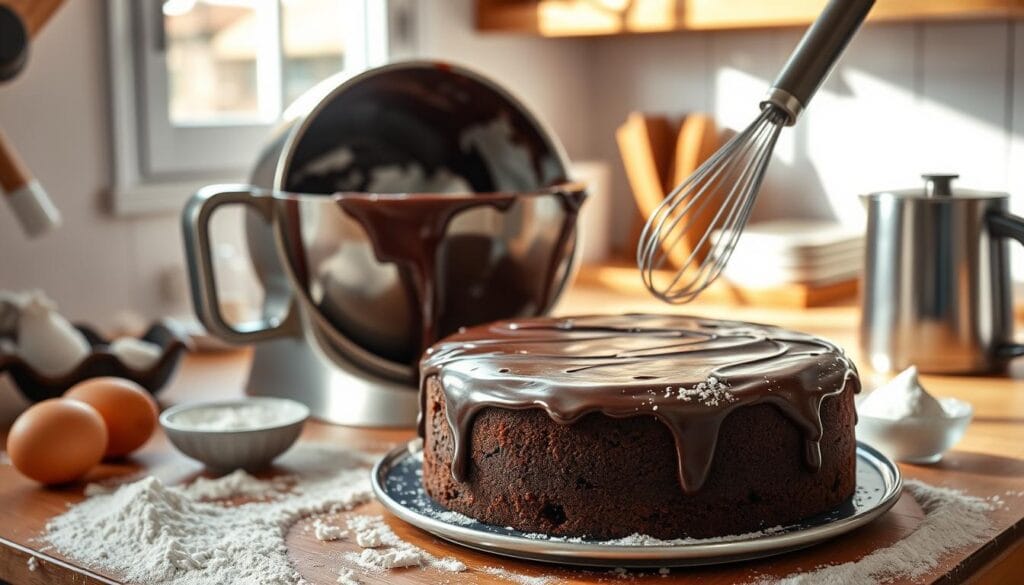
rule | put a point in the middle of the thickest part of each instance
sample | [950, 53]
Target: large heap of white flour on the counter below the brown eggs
[150, 533]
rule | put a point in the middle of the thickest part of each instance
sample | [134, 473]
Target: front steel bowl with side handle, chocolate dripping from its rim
[377, 286]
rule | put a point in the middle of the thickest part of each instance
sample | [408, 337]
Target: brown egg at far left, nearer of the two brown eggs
[57, 441]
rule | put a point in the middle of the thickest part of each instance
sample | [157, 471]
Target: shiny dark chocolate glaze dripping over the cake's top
[634, 365]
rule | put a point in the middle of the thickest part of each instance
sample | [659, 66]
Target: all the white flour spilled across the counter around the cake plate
[150, 533]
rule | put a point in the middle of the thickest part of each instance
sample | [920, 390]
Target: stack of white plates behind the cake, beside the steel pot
[803, 253]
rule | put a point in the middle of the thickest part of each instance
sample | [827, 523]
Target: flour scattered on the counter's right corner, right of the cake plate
[953, 521]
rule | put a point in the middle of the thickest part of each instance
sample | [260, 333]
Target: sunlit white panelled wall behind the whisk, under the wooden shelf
[906, 100]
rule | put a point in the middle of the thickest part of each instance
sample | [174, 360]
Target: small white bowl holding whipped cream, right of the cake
[918, 440]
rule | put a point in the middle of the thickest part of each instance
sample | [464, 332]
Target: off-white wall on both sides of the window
[57, 114]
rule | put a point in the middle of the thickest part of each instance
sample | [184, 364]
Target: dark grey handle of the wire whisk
[816, 57]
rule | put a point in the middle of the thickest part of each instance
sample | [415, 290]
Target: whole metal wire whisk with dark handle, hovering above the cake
[708, 213]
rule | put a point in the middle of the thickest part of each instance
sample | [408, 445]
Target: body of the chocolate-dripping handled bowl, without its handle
[461, 260]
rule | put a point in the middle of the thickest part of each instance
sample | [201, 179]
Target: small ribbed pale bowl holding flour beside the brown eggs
[251, 449]
